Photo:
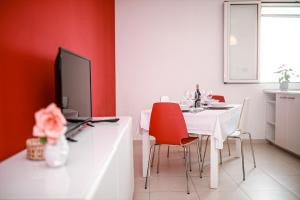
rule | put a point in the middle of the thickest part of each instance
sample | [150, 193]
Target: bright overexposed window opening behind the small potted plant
[280, 40]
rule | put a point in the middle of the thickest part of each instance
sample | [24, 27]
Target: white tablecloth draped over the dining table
[217, 123]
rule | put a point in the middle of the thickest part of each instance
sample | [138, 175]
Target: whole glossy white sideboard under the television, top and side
[100, 166]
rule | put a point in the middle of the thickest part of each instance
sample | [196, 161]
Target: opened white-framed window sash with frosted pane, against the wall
[241, 22]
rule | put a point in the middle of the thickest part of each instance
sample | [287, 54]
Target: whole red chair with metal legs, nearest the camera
[168, 127]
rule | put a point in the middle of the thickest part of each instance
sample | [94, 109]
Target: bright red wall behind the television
[30, 33]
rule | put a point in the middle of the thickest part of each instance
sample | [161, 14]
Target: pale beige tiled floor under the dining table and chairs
[277, 176]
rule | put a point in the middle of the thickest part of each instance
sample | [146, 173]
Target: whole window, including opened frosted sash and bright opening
[258, 38]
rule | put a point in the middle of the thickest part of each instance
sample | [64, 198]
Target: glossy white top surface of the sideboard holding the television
[87, 162]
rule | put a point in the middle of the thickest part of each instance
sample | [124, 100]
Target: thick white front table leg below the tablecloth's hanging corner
[214, 168]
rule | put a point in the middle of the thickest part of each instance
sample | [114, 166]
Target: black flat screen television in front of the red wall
[73, 86]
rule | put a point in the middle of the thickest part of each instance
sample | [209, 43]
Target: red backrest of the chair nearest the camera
[167, 124]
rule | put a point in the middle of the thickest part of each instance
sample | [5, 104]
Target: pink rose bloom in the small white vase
[49, 123]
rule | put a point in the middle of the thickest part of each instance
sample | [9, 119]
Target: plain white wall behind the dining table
[164, 47]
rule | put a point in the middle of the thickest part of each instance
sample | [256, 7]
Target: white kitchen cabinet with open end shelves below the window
[286, 113]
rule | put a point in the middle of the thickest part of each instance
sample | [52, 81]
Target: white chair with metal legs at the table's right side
[241, 130]
